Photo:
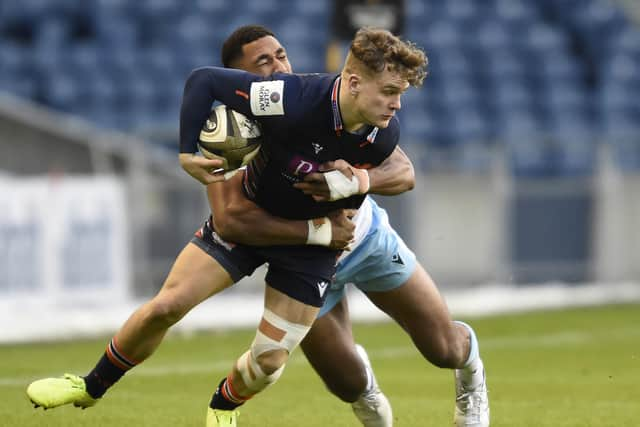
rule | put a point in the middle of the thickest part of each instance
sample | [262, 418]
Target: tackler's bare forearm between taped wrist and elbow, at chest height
[393, 176]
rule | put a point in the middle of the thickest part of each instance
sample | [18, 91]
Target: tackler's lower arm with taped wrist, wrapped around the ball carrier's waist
[239, 220]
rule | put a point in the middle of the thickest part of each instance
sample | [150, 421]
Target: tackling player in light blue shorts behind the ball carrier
[380, 265]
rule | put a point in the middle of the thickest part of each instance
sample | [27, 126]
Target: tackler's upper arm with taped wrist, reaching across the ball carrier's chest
[393, 176]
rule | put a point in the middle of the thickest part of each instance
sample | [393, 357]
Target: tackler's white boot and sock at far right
[472, 400]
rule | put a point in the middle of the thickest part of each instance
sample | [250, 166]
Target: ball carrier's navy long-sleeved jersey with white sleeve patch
[301, 126]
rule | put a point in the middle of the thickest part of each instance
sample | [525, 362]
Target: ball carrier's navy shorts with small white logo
[303, 272]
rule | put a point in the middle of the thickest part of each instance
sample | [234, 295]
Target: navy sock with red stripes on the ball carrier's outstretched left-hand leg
[109, 369]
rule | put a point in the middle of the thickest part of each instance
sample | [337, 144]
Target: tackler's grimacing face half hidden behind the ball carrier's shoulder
[264, 56]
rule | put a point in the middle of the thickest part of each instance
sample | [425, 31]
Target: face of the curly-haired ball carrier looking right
[378, 98]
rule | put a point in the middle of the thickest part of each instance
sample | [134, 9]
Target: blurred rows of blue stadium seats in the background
[501, 71]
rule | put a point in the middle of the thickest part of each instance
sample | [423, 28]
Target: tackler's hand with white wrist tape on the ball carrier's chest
[334, 180]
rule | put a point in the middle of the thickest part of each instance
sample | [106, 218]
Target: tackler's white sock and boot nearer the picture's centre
[372, 407]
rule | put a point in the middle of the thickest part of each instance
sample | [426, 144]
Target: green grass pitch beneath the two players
[559, 368]
